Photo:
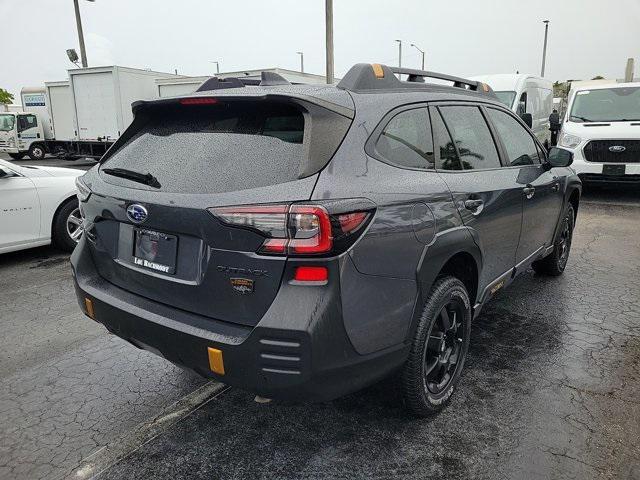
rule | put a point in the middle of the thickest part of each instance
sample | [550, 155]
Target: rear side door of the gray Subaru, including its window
[486, 195]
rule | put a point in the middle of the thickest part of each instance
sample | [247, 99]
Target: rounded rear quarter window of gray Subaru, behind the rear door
[406, 140]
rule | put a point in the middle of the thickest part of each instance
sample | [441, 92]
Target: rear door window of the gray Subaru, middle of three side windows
[472, 137]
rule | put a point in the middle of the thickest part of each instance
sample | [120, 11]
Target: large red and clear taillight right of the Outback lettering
[294, 229]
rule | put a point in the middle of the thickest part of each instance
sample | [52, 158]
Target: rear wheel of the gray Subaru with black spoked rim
[429, 377]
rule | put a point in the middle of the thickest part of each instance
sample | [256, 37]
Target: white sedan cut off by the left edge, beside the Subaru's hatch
[38, 206]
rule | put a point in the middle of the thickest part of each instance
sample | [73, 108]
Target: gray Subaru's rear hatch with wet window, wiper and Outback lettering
[159, 238]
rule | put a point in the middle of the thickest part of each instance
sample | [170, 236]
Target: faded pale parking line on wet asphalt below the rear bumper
[121, 447]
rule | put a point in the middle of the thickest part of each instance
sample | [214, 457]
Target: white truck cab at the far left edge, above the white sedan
[21, 134]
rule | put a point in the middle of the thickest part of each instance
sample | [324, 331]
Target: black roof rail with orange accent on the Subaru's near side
[364, 77]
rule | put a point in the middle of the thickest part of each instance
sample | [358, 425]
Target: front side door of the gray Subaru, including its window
[541, 191]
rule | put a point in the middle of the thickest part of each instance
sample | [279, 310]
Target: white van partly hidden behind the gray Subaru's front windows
[525, 94]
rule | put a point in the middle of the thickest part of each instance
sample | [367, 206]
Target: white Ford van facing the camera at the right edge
[602, 129]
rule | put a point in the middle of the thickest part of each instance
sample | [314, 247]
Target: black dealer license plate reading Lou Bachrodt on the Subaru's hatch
[155, 250]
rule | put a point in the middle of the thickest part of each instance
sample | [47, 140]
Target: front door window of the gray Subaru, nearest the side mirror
[520, 146]
